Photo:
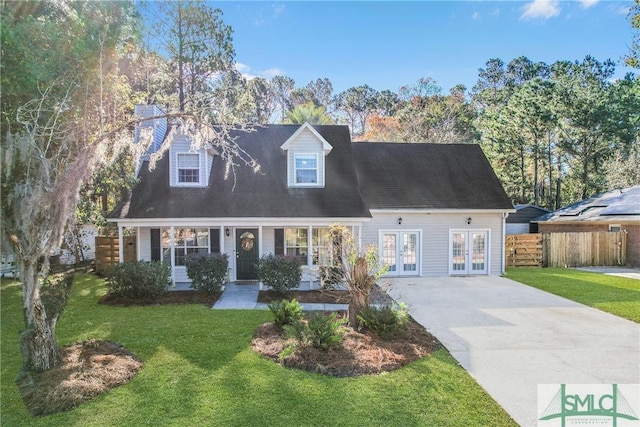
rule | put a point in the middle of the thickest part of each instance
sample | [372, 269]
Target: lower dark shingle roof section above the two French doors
[427, 176]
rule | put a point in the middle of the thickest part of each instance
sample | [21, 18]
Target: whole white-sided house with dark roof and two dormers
[432, 209]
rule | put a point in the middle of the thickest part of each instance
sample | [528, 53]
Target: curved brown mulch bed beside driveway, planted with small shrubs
[358, 354]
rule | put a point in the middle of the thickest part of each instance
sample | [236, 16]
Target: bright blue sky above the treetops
[390, 44]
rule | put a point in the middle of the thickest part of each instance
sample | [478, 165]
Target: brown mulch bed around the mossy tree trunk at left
[87, 370]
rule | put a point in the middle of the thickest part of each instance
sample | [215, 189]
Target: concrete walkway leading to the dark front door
[245, 297]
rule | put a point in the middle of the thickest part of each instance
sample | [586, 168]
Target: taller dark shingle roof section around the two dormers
[255, 195]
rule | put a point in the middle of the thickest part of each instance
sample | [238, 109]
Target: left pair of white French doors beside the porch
[401, 252]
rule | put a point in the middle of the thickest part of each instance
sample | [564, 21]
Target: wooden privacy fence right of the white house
[576, 249]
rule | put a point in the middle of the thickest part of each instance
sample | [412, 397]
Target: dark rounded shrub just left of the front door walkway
[208, 273]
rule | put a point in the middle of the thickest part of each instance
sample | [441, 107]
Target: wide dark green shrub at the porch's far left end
[138, 280]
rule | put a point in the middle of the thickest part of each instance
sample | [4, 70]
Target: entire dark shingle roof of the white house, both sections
[359, 177]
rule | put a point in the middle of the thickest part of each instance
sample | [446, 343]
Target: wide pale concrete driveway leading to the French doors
[512, 337]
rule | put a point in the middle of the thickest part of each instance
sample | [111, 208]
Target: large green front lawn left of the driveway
[200, 370]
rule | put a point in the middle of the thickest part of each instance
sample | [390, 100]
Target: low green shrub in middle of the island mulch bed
[319, 331]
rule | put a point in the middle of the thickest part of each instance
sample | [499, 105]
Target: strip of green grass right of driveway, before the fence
[613, 294]
